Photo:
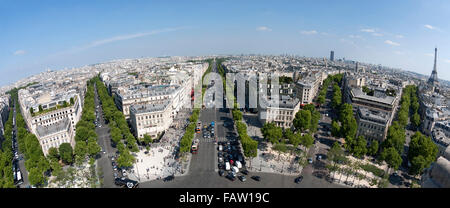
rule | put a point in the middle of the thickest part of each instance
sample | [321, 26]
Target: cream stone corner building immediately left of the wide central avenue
[151, 119]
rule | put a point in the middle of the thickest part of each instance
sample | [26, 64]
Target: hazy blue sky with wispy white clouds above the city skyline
[35, 35]
